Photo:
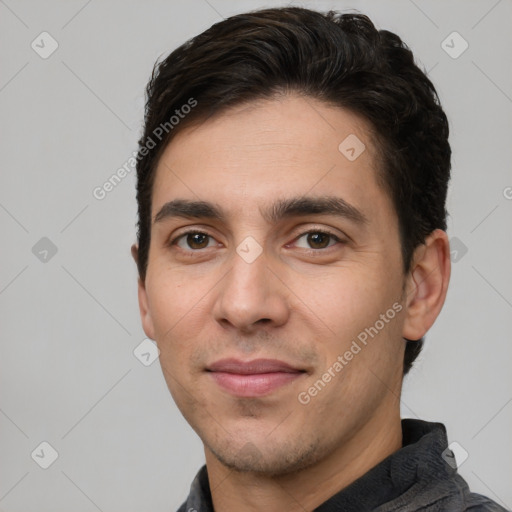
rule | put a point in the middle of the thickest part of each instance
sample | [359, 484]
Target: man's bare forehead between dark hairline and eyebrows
[285, 147]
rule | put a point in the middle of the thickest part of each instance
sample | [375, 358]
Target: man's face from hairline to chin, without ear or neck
[296, 284]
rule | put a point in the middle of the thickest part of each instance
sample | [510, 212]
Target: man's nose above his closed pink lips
[251, 294]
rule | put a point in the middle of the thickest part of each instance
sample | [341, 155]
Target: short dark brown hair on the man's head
[340, 59]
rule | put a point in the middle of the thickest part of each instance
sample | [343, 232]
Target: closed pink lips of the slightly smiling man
[255, 378]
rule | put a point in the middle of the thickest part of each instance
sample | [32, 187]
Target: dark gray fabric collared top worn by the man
[414, 478]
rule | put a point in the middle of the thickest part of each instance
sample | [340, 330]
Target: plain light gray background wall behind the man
[69, 325]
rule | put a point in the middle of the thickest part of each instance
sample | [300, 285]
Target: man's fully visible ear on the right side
[427, 284]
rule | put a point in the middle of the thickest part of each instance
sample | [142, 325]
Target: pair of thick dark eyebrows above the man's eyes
[281, 209]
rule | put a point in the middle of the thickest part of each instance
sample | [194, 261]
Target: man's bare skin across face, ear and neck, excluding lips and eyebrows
[302, 301]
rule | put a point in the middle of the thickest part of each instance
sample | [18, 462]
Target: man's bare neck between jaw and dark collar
[310, 487]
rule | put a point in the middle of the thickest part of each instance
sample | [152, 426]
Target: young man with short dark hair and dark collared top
[292, 254]
